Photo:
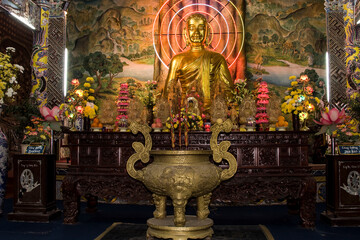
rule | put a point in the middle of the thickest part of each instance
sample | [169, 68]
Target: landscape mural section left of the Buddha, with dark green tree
[111, 41]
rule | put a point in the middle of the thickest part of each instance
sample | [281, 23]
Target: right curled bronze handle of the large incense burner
[220, 151]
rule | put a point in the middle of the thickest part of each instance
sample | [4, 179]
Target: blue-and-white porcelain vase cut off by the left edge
[3, 168]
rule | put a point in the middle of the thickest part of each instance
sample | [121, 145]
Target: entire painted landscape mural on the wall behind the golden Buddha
[112, 41]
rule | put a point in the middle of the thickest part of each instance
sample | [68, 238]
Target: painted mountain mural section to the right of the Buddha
[284, 38]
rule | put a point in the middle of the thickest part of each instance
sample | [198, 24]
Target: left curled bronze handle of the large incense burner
[141, 151]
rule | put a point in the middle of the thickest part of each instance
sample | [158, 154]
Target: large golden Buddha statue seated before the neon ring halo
[199, 68]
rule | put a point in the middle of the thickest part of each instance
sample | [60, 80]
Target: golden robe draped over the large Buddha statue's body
[207, 72]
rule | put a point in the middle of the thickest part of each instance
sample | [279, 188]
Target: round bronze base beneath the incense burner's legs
[194, 228]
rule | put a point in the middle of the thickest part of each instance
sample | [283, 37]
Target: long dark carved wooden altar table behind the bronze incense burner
[271, 166]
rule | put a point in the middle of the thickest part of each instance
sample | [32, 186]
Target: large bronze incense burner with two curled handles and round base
[180, 175]
